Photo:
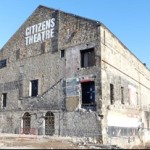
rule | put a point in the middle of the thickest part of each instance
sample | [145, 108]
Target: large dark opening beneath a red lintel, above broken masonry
[88, 93]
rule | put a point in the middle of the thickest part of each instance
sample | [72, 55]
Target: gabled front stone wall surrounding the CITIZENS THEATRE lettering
[26, 62]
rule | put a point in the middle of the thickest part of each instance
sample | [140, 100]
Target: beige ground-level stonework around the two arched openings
[11, 122]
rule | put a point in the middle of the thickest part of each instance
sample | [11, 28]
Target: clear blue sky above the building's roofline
[129, 20]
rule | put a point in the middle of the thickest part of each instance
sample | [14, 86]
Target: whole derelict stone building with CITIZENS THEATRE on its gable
[66, 75]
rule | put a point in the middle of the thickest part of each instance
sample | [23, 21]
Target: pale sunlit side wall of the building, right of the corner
[122, 69]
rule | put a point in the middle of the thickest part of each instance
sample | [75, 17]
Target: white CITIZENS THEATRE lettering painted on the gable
[40, 31]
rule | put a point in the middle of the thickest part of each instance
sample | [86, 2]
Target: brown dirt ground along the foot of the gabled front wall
[14, 141]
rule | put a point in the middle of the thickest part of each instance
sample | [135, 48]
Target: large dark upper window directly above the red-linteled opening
[87, 58]
